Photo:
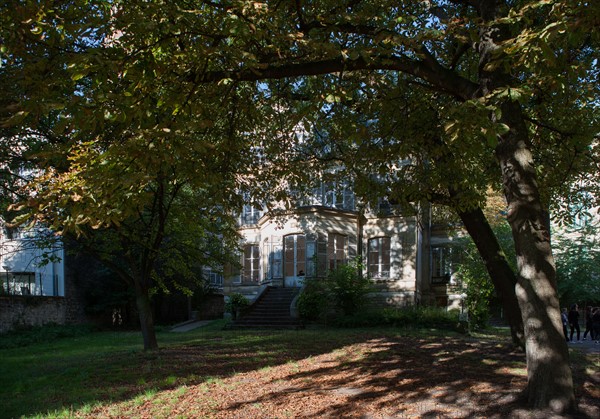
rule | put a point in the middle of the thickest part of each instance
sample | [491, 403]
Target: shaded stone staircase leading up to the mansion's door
[270, 311]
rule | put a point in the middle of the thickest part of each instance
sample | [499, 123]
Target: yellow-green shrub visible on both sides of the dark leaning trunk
[475, 277]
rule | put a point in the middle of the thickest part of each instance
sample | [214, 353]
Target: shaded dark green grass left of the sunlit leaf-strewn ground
[73, 373]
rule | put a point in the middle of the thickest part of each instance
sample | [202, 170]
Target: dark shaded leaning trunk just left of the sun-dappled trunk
[500, 272]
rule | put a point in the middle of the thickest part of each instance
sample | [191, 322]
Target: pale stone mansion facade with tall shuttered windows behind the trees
[405, 263]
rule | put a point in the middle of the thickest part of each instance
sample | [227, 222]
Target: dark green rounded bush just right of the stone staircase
[343, 290]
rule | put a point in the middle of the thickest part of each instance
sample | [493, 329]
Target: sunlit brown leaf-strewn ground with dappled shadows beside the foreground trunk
[378, 378]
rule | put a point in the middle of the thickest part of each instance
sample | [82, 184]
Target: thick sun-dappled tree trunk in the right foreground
[550, 383]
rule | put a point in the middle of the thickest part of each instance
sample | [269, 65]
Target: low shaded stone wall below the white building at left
[29, 311]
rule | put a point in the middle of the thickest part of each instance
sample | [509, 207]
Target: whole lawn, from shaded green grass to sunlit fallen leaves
[210, 372]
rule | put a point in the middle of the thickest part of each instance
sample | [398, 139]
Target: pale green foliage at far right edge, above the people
[578, 265]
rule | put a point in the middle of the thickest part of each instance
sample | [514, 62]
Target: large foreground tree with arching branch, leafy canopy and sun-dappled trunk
[471, 93]
